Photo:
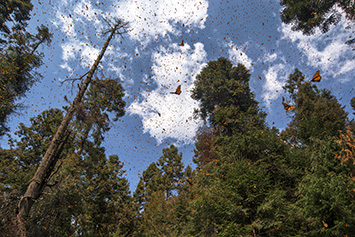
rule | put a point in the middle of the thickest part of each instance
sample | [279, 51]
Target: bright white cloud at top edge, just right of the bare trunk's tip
[151, 19]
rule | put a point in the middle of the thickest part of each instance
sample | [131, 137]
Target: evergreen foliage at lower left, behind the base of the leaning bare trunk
[85, 194]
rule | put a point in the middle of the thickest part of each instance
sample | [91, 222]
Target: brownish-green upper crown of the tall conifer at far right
[317, 113]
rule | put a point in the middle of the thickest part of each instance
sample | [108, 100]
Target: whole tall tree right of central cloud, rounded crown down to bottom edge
[250, 166]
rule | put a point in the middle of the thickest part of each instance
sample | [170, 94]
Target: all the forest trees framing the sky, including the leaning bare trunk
[250, 179]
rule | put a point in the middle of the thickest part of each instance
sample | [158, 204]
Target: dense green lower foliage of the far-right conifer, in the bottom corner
[326, 194]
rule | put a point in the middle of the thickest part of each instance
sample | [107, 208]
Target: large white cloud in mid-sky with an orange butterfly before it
[166, 115]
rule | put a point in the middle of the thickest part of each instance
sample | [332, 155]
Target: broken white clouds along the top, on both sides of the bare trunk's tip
[81, 25]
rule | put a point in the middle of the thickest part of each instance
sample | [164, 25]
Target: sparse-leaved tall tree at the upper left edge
[19, 55]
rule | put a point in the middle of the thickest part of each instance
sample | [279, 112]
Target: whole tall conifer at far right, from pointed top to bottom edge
[325, 199]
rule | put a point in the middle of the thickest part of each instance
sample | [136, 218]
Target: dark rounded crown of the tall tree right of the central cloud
[221, 85]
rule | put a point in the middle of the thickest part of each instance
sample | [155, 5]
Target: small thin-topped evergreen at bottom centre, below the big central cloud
[162, 195]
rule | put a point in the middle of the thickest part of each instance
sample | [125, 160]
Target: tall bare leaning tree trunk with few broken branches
[49, 160]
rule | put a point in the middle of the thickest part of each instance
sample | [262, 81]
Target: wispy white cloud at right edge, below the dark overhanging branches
[328, 51]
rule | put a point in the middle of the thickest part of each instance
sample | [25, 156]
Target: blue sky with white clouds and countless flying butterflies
[150, 63]
